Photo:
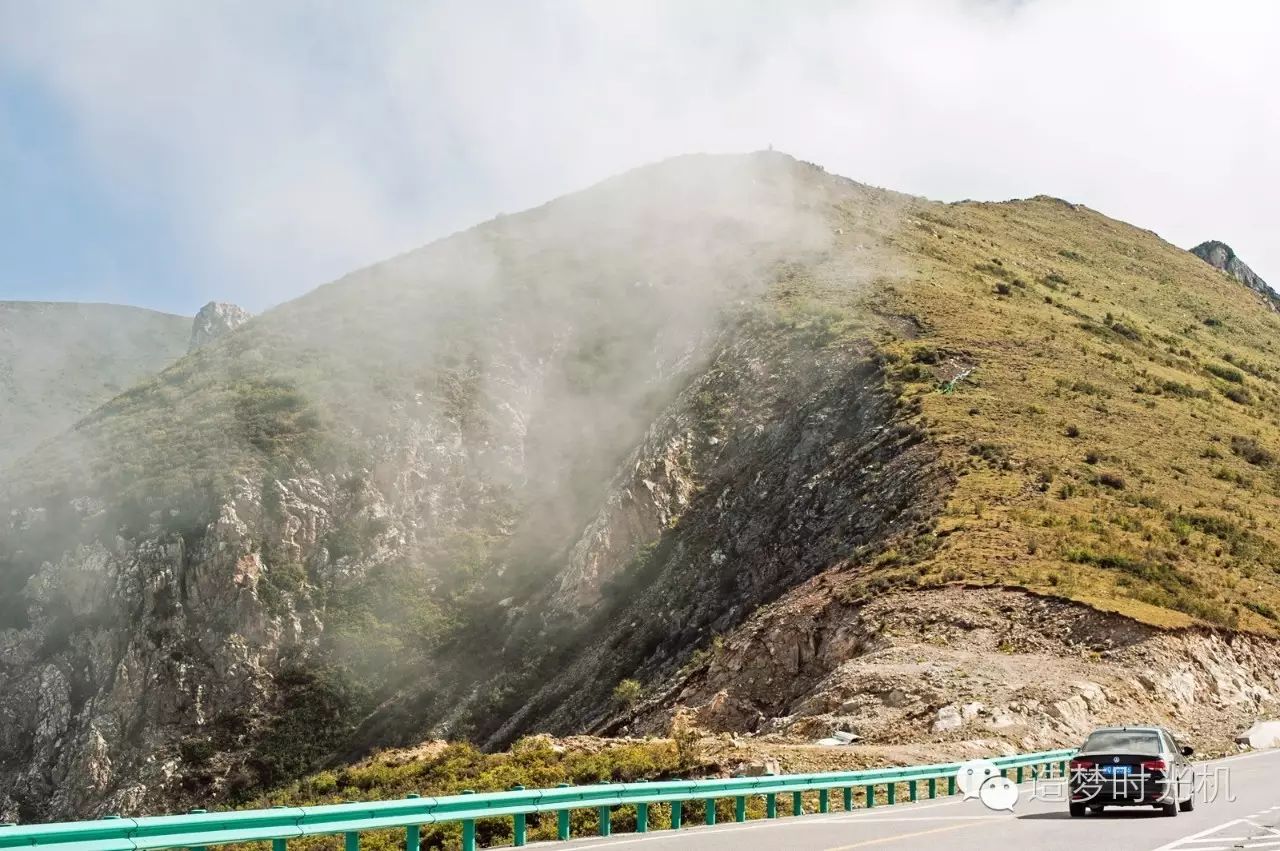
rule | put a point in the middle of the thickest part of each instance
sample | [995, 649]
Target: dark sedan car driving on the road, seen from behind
[1132, 767]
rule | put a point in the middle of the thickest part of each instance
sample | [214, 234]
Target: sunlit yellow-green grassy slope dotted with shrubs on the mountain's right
[1116, 443]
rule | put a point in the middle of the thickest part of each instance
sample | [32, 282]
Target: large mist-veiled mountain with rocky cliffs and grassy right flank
[726, 442]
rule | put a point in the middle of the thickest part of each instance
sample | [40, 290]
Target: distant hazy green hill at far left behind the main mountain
[60, 362]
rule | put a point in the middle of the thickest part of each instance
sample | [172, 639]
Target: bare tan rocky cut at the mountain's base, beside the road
[962, 665]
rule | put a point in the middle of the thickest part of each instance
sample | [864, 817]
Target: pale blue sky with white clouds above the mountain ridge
[168, 154]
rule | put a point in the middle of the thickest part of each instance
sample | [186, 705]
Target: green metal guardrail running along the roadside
[200, 831]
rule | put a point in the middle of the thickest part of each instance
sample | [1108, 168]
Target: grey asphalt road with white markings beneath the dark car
[1238, 807]
